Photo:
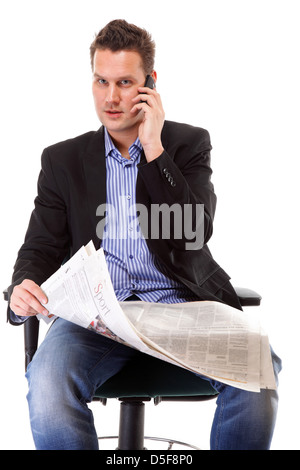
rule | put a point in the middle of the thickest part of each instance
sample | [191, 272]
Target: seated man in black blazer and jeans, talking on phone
[136, 157]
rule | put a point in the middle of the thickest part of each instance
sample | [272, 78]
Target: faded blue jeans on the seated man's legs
[73, 362]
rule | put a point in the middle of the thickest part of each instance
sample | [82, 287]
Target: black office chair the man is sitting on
[141, 381]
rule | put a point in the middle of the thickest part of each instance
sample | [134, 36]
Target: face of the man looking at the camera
[116, 78]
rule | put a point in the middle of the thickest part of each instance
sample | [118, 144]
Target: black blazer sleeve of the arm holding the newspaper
[46, 241]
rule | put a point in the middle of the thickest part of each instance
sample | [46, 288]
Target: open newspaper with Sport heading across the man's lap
[205, 337]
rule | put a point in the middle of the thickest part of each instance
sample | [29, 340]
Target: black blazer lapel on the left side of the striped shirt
[94, 167]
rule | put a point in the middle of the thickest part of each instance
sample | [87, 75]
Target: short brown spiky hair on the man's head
[119, 35]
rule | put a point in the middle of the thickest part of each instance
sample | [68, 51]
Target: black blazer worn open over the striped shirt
[72, 184]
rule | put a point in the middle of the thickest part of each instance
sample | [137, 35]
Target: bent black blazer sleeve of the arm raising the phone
[182, 175]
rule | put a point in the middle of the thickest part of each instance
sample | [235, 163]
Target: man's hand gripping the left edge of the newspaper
[27, 298]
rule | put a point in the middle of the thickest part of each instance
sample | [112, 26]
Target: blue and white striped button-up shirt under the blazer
[130, 263]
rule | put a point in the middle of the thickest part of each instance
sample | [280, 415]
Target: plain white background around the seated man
[231, 67]
